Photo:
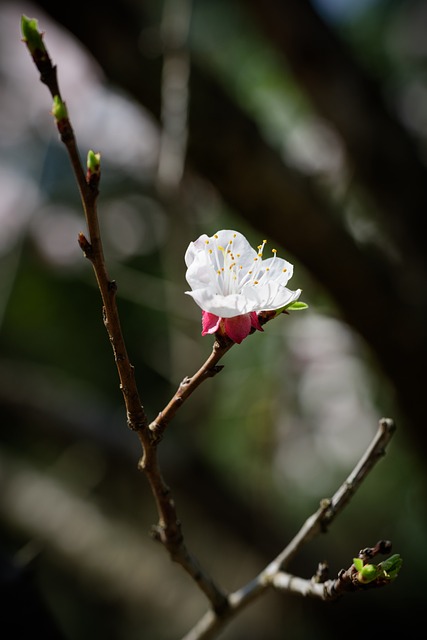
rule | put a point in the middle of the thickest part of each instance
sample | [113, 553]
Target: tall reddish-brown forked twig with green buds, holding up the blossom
[168, 530]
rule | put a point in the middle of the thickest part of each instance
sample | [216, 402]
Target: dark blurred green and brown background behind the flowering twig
[300, 122]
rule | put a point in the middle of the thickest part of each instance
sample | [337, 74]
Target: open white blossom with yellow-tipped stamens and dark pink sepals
[229, 278]
